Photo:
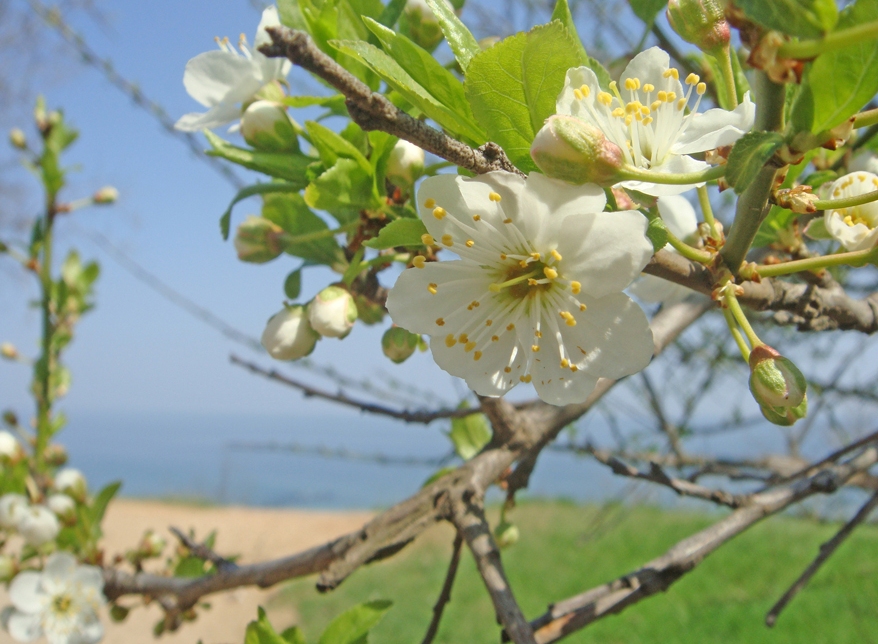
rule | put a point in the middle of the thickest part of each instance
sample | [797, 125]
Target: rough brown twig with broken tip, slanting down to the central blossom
[373, 111]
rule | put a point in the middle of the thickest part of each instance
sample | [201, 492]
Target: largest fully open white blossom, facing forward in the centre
[536, 294]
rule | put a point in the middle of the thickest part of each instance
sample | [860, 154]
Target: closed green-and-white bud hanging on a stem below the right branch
[778, 386]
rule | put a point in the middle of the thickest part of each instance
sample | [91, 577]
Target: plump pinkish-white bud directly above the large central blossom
[574, 151]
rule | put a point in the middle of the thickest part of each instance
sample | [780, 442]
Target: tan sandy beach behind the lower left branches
[255, 534]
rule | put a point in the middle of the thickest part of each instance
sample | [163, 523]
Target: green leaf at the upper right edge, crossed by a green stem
[838, 83]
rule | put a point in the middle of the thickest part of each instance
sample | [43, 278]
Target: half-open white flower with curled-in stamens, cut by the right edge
[855, 227]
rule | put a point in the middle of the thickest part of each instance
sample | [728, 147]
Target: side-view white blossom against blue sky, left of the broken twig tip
[226, 80]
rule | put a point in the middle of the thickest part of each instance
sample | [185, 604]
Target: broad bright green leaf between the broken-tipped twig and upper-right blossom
[513, 86]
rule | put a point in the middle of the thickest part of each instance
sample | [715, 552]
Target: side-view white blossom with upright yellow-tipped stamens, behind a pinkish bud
[645, 114]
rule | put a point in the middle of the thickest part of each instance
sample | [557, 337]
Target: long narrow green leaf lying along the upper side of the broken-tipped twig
[399, 79]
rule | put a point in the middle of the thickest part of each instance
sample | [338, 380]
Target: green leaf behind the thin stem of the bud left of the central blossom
[290, 212]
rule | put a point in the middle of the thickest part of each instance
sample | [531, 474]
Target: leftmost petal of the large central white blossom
[413, 307]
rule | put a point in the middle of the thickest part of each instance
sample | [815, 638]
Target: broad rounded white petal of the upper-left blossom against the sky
[221, 77]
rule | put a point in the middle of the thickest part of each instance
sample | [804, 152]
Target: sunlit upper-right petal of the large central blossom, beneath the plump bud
[604, 252]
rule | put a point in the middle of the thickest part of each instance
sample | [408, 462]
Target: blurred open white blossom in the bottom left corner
[60, 603]
